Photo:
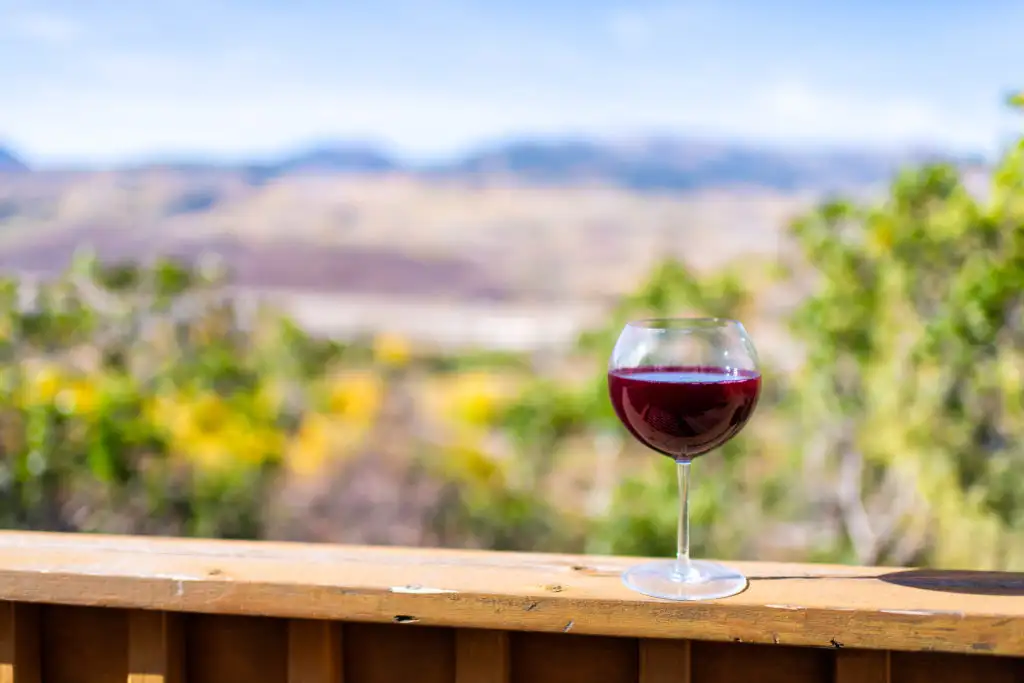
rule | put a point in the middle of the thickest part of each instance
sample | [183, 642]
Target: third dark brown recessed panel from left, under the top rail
[378, 654]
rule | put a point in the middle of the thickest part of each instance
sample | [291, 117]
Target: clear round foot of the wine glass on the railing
[703, 581]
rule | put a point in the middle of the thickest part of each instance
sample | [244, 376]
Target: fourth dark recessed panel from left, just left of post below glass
[545, 658]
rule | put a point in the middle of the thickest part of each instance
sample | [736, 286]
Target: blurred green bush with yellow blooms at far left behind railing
[131, 402]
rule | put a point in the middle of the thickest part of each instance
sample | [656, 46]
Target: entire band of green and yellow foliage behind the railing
[139, 400]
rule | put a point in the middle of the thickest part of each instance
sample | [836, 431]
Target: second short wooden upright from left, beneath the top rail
[156, 648]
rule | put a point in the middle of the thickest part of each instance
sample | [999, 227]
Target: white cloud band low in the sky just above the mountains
[247, 116]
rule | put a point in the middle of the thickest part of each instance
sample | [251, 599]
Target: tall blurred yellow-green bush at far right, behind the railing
[913, 377]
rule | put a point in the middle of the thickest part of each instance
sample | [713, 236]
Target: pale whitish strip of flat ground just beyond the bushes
[454, 325]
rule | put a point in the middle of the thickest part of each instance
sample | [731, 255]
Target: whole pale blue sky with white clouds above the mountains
[104, 81]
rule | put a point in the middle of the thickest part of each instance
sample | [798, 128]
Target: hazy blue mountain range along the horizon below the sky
[656, 164]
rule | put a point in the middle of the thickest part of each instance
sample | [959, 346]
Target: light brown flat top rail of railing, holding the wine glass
[788, 605]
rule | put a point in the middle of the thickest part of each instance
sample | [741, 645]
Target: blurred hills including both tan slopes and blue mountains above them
[523, 222]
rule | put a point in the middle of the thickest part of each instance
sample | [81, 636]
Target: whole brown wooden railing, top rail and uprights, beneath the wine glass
[98, 610]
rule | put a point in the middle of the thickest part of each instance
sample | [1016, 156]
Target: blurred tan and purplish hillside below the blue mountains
[398, 235]
